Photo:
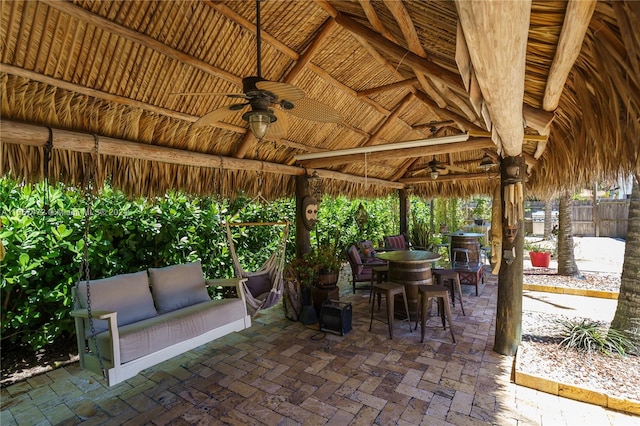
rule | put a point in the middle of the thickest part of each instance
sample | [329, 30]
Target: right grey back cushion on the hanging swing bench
[177, 286]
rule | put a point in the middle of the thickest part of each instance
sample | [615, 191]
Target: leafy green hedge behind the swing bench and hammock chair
[44, 251]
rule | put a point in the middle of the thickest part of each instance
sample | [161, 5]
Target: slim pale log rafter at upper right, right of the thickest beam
[576, 22]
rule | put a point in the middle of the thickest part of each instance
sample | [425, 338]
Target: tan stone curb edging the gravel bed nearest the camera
[577, 393]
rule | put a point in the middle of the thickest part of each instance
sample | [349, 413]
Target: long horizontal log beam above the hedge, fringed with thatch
[13, 132]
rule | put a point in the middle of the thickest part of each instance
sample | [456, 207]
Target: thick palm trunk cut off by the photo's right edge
[627, 316]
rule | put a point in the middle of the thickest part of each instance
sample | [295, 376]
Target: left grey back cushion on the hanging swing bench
[127, 294]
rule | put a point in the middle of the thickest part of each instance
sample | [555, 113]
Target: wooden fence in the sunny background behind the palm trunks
[607, 219]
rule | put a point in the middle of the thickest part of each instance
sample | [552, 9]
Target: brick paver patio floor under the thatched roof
[281, 372]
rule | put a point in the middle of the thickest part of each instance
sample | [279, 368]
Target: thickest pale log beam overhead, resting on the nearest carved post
[496, 34]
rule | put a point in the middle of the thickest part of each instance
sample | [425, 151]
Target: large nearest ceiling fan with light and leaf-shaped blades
[267, 101]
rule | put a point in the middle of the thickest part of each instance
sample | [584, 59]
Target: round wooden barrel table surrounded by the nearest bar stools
[411, 268]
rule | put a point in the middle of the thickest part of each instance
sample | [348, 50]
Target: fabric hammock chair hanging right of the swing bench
[263, 288]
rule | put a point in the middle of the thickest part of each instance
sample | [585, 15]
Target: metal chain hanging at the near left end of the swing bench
[84, 264]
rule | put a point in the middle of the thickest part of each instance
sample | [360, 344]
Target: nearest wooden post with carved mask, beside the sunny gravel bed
[509, 311]
